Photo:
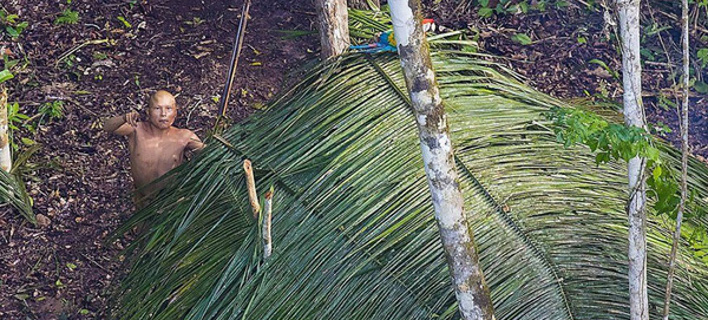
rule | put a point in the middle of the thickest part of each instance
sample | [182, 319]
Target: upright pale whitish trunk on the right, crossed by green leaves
[634, 116]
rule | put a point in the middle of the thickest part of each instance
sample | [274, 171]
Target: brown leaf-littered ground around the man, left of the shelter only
[80, 177]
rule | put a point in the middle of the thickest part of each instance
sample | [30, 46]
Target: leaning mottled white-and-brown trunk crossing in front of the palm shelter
[468, 281]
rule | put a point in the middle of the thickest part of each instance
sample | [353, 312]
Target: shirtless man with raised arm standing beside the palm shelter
[156, 147]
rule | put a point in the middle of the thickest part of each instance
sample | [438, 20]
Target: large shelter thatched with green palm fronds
[353, 230]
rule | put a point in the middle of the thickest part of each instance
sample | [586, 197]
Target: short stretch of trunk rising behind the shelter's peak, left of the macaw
[334, 28]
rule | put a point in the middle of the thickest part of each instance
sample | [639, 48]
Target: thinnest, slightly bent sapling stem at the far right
[684, 161]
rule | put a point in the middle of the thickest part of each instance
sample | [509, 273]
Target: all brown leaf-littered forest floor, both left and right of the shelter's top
[80, 179]
